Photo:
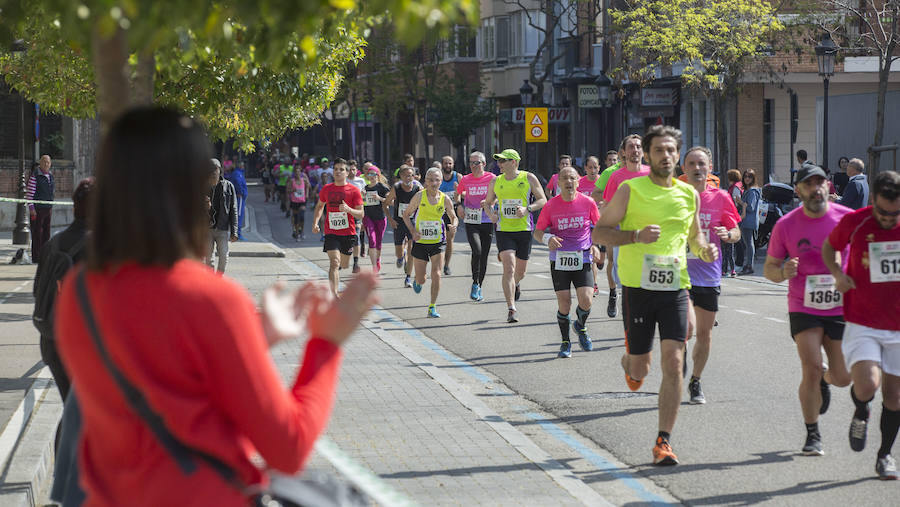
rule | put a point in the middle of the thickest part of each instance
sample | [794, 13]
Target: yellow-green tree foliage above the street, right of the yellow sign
[716, 40]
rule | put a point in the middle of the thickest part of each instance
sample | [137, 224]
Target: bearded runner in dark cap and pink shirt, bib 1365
[815, 309]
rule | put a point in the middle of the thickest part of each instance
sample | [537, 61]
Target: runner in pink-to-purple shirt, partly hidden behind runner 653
[719, 224]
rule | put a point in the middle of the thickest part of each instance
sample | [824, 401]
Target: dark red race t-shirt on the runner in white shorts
[874, 266]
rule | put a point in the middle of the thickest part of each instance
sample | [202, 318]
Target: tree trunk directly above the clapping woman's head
[111, 74]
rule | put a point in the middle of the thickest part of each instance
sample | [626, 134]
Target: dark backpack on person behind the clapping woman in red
[53, 267]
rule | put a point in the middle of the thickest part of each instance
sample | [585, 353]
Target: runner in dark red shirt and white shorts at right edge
[871, 344]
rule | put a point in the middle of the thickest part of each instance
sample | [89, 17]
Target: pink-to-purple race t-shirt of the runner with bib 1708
[571, 222]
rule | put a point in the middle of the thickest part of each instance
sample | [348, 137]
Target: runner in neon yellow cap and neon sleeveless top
[512, 190]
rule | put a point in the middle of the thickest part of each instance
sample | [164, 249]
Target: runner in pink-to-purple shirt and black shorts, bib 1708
[564, 225]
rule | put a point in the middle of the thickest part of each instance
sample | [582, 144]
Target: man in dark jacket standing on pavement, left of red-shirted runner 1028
[222, 216]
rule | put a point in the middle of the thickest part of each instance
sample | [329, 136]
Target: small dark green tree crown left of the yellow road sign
[458, 108]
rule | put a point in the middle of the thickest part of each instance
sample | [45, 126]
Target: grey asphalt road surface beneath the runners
[742, 447]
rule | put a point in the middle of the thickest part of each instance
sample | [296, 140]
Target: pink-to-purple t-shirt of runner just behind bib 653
[716, 210]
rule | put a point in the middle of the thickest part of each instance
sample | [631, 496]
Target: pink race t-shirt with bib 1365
[798, 235]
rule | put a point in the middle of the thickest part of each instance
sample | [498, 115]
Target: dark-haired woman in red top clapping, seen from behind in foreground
[205, 368]
